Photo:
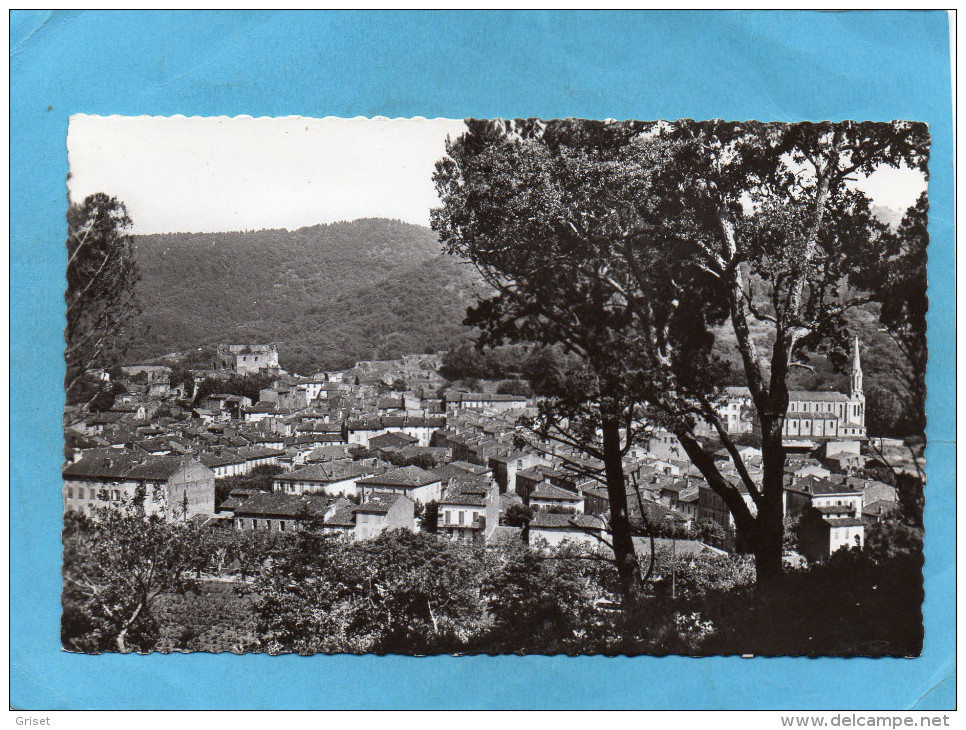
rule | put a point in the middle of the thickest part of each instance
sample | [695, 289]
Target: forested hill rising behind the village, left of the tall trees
[327, 295]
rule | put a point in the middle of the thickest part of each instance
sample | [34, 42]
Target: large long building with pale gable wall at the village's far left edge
[175, 487]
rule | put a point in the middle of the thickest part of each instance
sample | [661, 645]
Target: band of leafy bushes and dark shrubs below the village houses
[141, 585]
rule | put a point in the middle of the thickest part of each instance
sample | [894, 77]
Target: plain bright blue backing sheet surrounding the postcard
[738, 65]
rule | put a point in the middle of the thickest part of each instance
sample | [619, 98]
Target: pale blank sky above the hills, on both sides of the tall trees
[229, 174]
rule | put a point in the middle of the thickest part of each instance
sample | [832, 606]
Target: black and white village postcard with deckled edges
[494, 386]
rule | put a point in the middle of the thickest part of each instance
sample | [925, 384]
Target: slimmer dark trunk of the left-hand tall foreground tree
[628, 569]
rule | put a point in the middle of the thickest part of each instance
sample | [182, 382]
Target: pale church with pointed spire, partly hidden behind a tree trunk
[812, 414]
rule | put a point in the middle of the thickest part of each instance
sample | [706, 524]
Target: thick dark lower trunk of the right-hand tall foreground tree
[768, 543]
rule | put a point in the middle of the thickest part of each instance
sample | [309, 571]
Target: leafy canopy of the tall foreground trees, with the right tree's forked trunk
[627, 244]
